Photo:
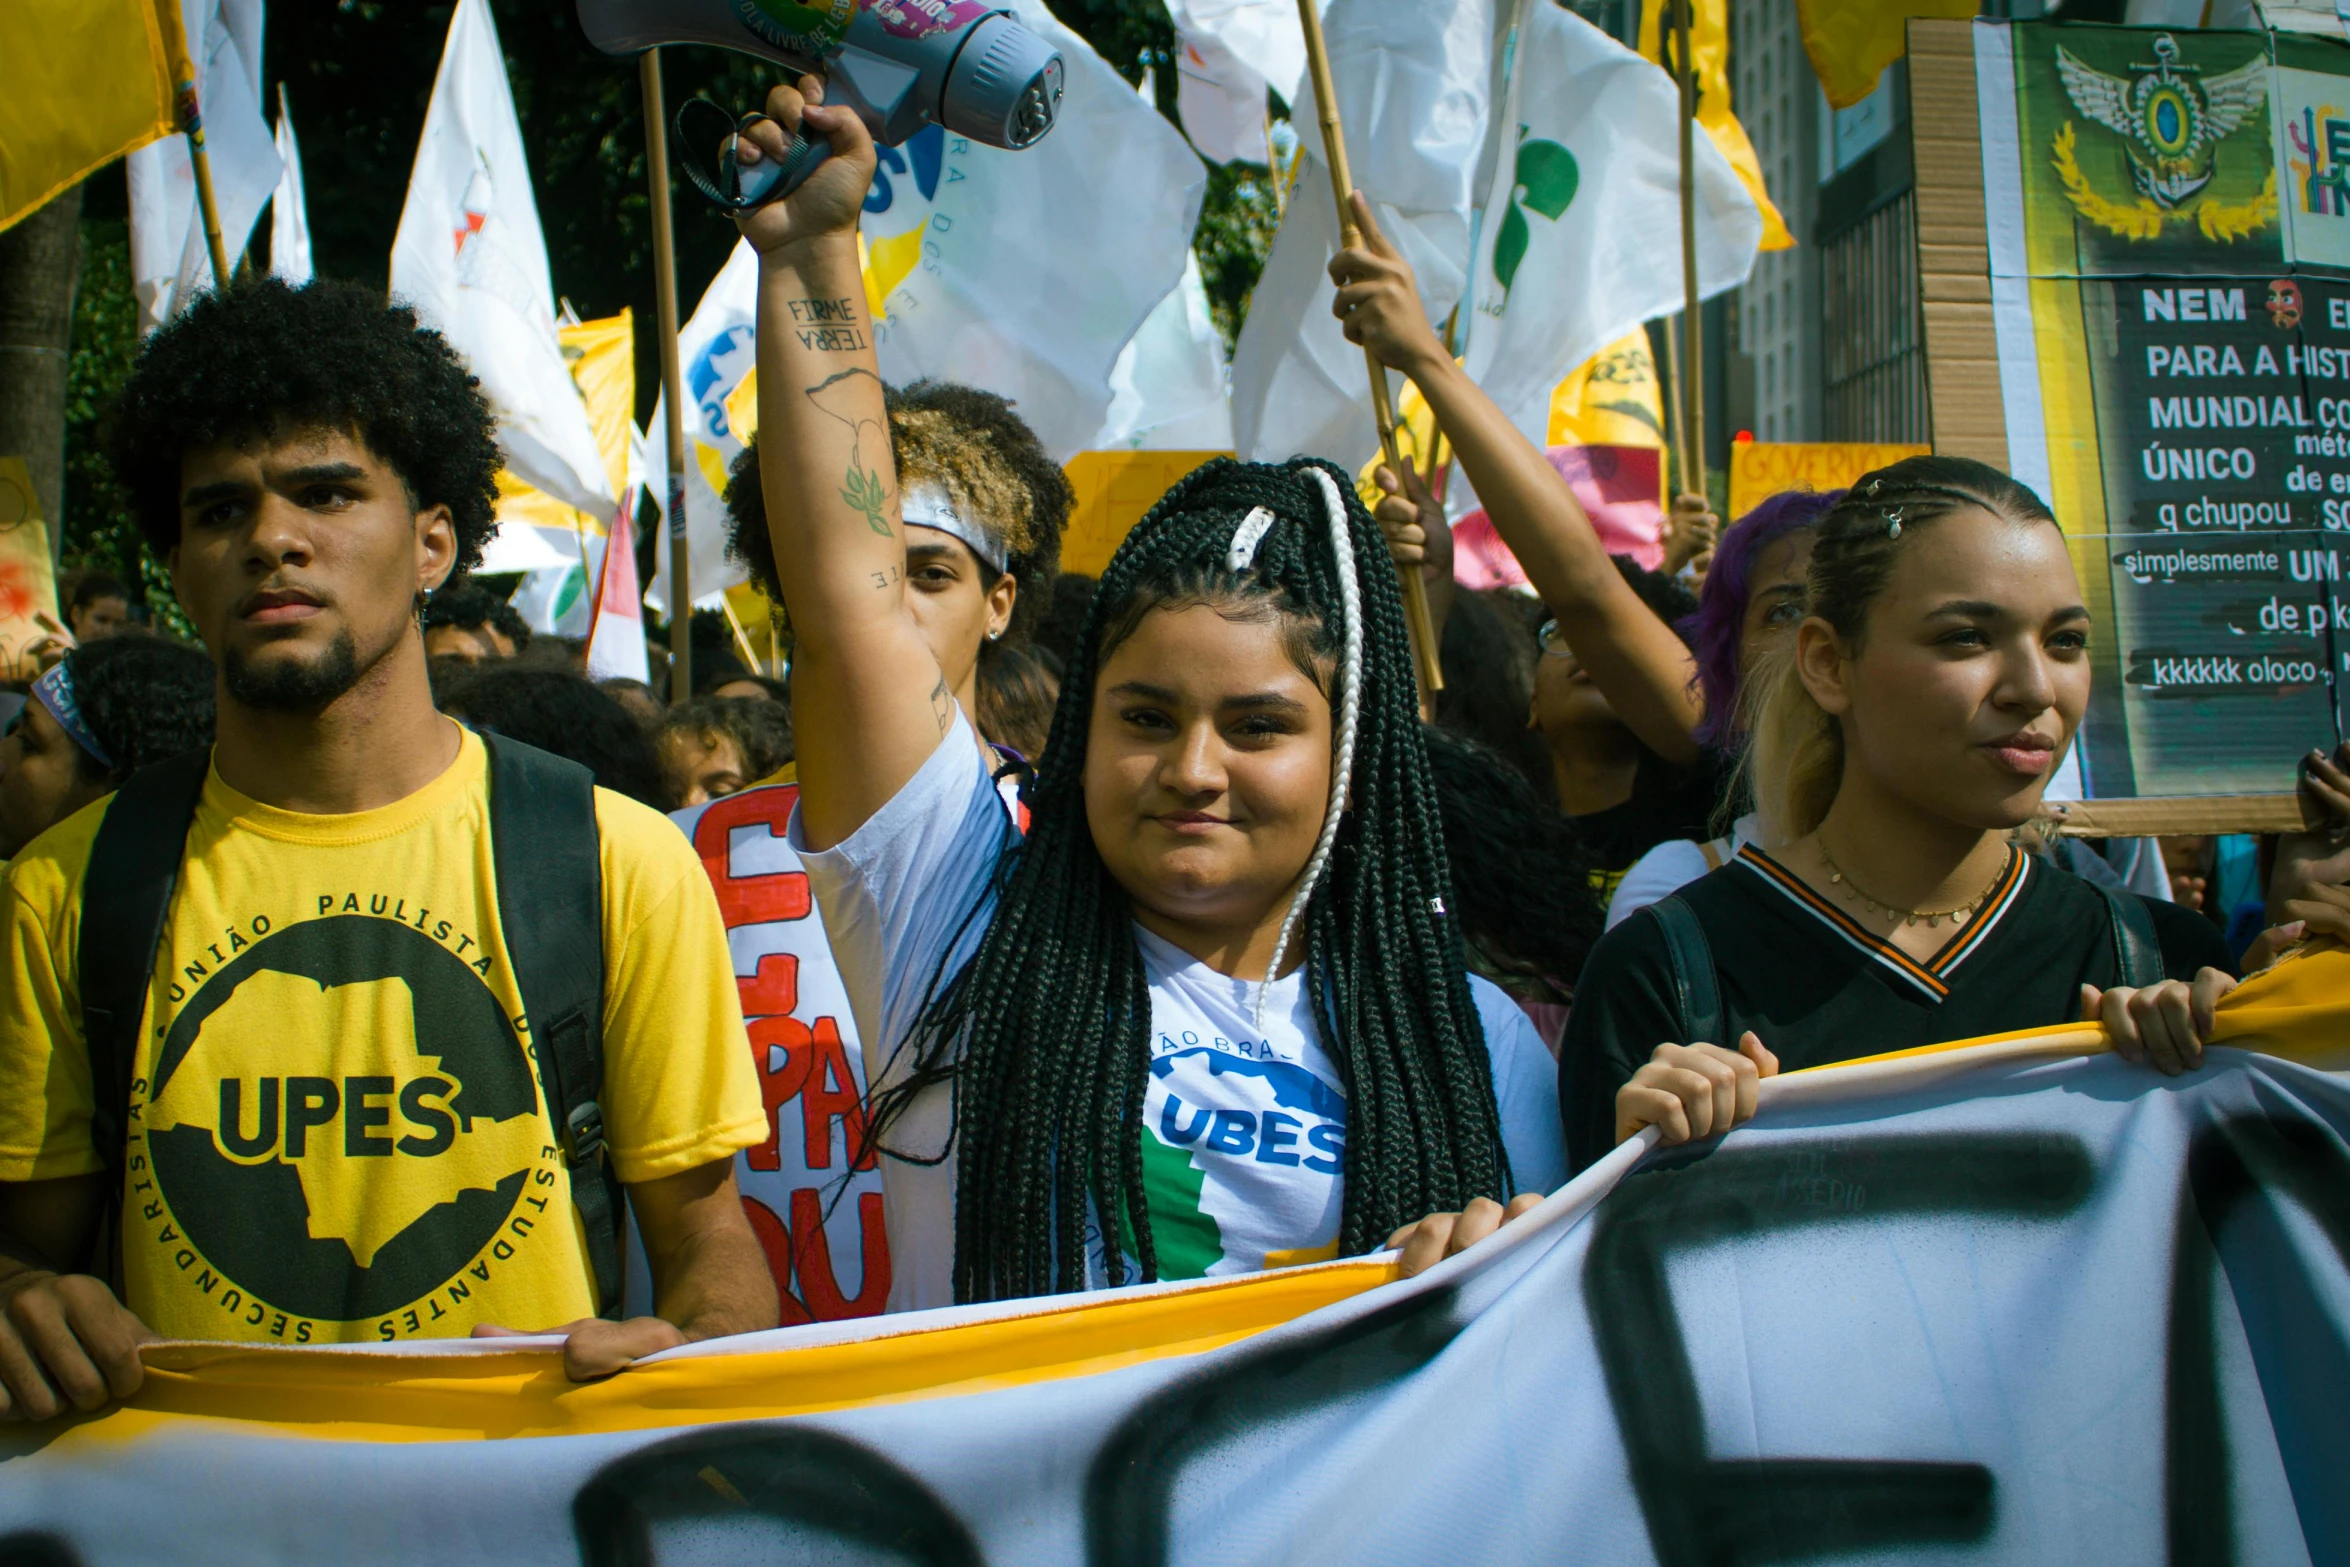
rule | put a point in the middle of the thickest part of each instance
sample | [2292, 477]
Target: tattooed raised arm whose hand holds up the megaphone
[868, 701]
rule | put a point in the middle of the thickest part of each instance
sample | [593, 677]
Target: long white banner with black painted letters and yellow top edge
[1996, 1303]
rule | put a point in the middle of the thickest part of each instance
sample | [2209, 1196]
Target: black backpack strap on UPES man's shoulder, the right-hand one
[551, 906]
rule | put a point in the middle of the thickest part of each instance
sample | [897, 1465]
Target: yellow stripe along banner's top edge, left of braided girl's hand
[485, 1397]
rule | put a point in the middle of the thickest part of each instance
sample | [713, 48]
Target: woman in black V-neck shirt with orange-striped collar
[1898, 746]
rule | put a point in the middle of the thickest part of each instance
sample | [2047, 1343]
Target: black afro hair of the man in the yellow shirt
[269, 361]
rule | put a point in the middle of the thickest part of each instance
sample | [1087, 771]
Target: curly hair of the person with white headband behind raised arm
[974, 448]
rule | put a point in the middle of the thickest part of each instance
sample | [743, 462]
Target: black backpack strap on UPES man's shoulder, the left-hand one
[126, 899]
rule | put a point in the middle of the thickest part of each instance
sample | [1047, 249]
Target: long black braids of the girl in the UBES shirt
[1047, 1030]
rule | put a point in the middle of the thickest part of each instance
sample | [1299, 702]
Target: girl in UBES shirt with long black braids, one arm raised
[1211, 1014]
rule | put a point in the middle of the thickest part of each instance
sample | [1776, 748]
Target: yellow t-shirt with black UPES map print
[335, 1127]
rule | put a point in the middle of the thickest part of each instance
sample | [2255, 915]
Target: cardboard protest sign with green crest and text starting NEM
[2147, 323]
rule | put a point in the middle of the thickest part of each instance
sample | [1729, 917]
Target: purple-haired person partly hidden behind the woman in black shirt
[1754, 598]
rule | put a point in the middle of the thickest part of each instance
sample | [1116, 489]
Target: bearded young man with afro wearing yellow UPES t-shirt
[333, 1115]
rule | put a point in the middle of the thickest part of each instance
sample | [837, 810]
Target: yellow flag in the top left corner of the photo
[81, 86]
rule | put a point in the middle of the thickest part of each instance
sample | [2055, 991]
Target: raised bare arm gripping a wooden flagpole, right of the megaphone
[1632, 657]
